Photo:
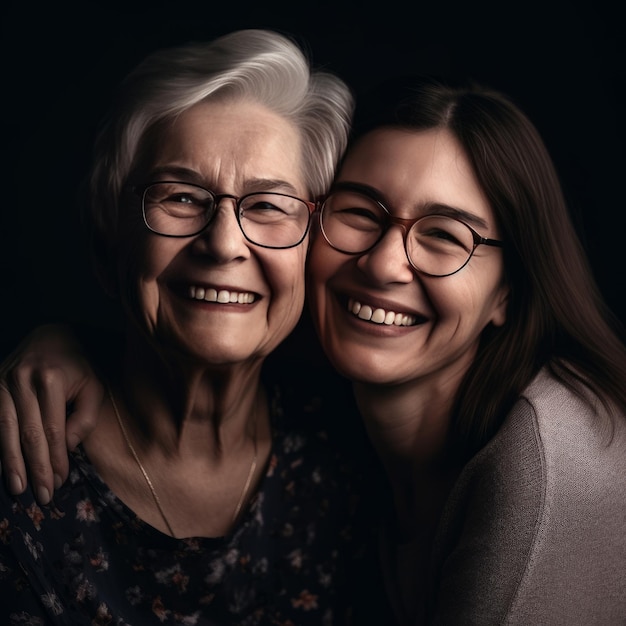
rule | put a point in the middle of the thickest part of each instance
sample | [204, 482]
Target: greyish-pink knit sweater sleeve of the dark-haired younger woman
[534, 532]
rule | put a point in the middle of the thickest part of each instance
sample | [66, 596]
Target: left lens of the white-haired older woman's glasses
[177, 209]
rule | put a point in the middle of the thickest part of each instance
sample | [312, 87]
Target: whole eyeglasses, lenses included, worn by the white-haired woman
[267, 219]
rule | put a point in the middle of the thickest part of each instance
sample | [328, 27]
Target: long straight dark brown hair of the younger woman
[556, 316]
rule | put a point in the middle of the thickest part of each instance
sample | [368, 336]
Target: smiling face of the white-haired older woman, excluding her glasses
[216, 297]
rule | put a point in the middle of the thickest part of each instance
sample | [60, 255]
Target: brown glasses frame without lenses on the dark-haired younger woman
[406, 223]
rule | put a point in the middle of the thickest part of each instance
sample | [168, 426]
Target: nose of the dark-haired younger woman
[387, 261]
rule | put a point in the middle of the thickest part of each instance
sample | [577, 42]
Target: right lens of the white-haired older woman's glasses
[274, 220]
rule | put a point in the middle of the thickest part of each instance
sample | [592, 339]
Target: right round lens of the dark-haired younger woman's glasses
[439, 245]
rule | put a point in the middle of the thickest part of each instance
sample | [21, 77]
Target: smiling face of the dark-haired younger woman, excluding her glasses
[433, 324]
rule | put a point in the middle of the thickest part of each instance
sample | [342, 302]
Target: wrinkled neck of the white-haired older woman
[184, 407]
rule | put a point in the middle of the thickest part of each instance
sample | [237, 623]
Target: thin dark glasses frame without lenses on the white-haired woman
[141, 191]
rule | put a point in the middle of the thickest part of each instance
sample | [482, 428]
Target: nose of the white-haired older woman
[223, 239]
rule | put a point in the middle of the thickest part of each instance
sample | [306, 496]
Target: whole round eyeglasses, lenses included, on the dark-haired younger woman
[437, 245]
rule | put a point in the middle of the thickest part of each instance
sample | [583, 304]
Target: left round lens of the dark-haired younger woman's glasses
[352, 222]
